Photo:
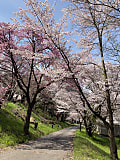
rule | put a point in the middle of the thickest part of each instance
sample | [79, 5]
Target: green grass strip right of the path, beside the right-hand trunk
[96, 148]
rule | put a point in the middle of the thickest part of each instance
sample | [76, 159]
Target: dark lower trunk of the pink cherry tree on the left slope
[27, 123]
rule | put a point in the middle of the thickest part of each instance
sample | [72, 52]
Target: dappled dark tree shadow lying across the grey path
[51, 142]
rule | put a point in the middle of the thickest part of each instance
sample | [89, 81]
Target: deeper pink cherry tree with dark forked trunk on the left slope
[27, 54]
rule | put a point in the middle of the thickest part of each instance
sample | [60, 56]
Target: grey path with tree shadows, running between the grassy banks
[55, 146]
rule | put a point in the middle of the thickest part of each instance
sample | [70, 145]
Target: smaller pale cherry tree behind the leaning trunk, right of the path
[77, 106]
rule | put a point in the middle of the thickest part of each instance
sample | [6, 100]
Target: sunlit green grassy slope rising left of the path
[11, 127]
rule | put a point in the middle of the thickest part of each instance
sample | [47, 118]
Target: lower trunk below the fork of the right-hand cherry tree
[113, 147]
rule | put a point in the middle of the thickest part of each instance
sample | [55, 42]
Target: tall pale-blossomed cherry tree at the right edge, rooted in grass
[97, 25]
